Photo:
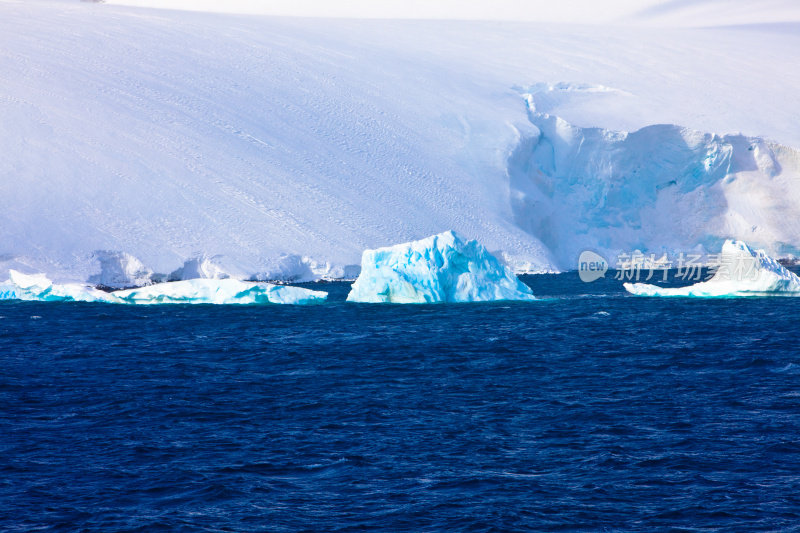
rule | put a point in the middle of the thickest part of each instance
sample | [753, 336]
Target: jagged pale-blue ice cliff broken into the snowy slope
[662, 188]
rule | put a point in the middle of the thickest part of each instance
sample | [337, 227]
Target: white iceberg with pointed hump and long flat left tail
[742, 271]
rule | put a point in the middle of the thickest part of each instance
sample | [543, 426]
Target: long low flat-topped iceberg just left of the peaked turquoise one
[219, 291]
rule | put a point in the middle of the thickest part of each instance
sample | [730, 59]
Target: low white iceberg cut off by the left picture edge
[37, 287]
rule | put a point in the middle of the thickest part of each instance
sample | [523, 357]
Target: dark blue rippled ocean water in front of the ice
[590, 410]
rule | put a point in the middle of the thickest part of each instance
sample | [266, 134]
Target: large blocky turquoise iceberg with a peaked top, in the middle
[440, 268]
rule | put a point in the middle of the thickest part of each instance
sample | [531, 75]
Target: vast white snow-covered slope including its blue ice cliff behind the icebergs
[140, 141]
